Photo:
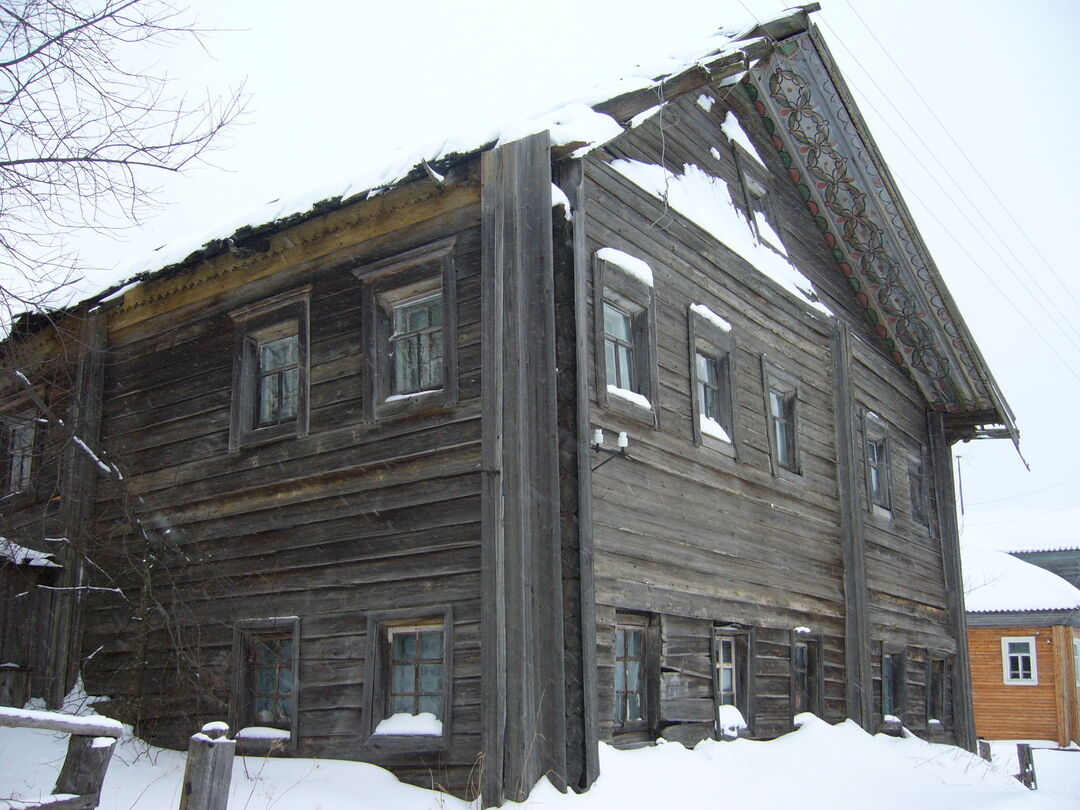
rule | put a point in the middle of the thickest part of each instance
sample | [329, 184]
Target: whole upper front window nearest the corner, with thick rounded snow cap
[625, 332]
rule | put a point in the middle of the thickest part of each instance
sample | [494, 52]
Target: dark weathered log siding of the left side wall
[354, 518]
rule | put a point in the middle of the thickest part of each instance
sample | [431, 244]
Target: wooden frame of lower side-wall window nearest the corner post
[377, 683]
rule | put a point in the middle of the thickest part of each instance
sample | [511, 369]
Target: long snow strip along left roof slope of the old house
[574, 125]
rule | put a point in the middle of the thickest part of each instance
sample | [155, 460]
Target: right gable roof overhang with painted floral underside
[845, 184]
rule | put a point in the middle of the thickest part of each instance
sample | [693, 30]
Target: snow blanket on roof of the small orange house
[995, 582]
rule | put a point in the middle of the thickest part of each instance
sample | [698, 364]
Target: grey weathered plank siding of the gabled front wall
[699, 537]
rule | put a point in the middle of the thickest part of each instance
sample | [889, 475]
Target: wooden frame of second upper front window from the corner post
[720, 346]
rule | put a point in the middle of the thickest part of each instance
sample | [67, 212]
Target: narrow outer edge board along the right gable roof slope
[973, 425]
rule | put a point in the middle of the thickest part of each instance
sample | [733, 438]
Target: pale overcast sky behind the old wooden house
[974, 105]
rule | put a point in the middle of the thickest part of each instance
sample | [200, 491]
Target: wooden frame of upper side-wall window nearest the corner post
[393, 282]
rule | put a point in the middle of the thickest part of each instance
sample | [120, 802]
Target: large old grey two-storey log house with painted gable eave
[639, 426]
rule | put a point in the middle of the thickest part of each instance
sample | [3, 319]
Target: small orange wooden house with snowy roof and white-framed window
[1024, 642]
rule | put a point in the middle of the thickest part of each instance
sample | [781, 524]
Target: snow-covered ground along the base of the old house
[817, 767]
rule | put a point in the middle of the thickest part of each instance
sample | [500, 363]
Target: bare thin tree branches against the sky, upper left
[83, 132]
